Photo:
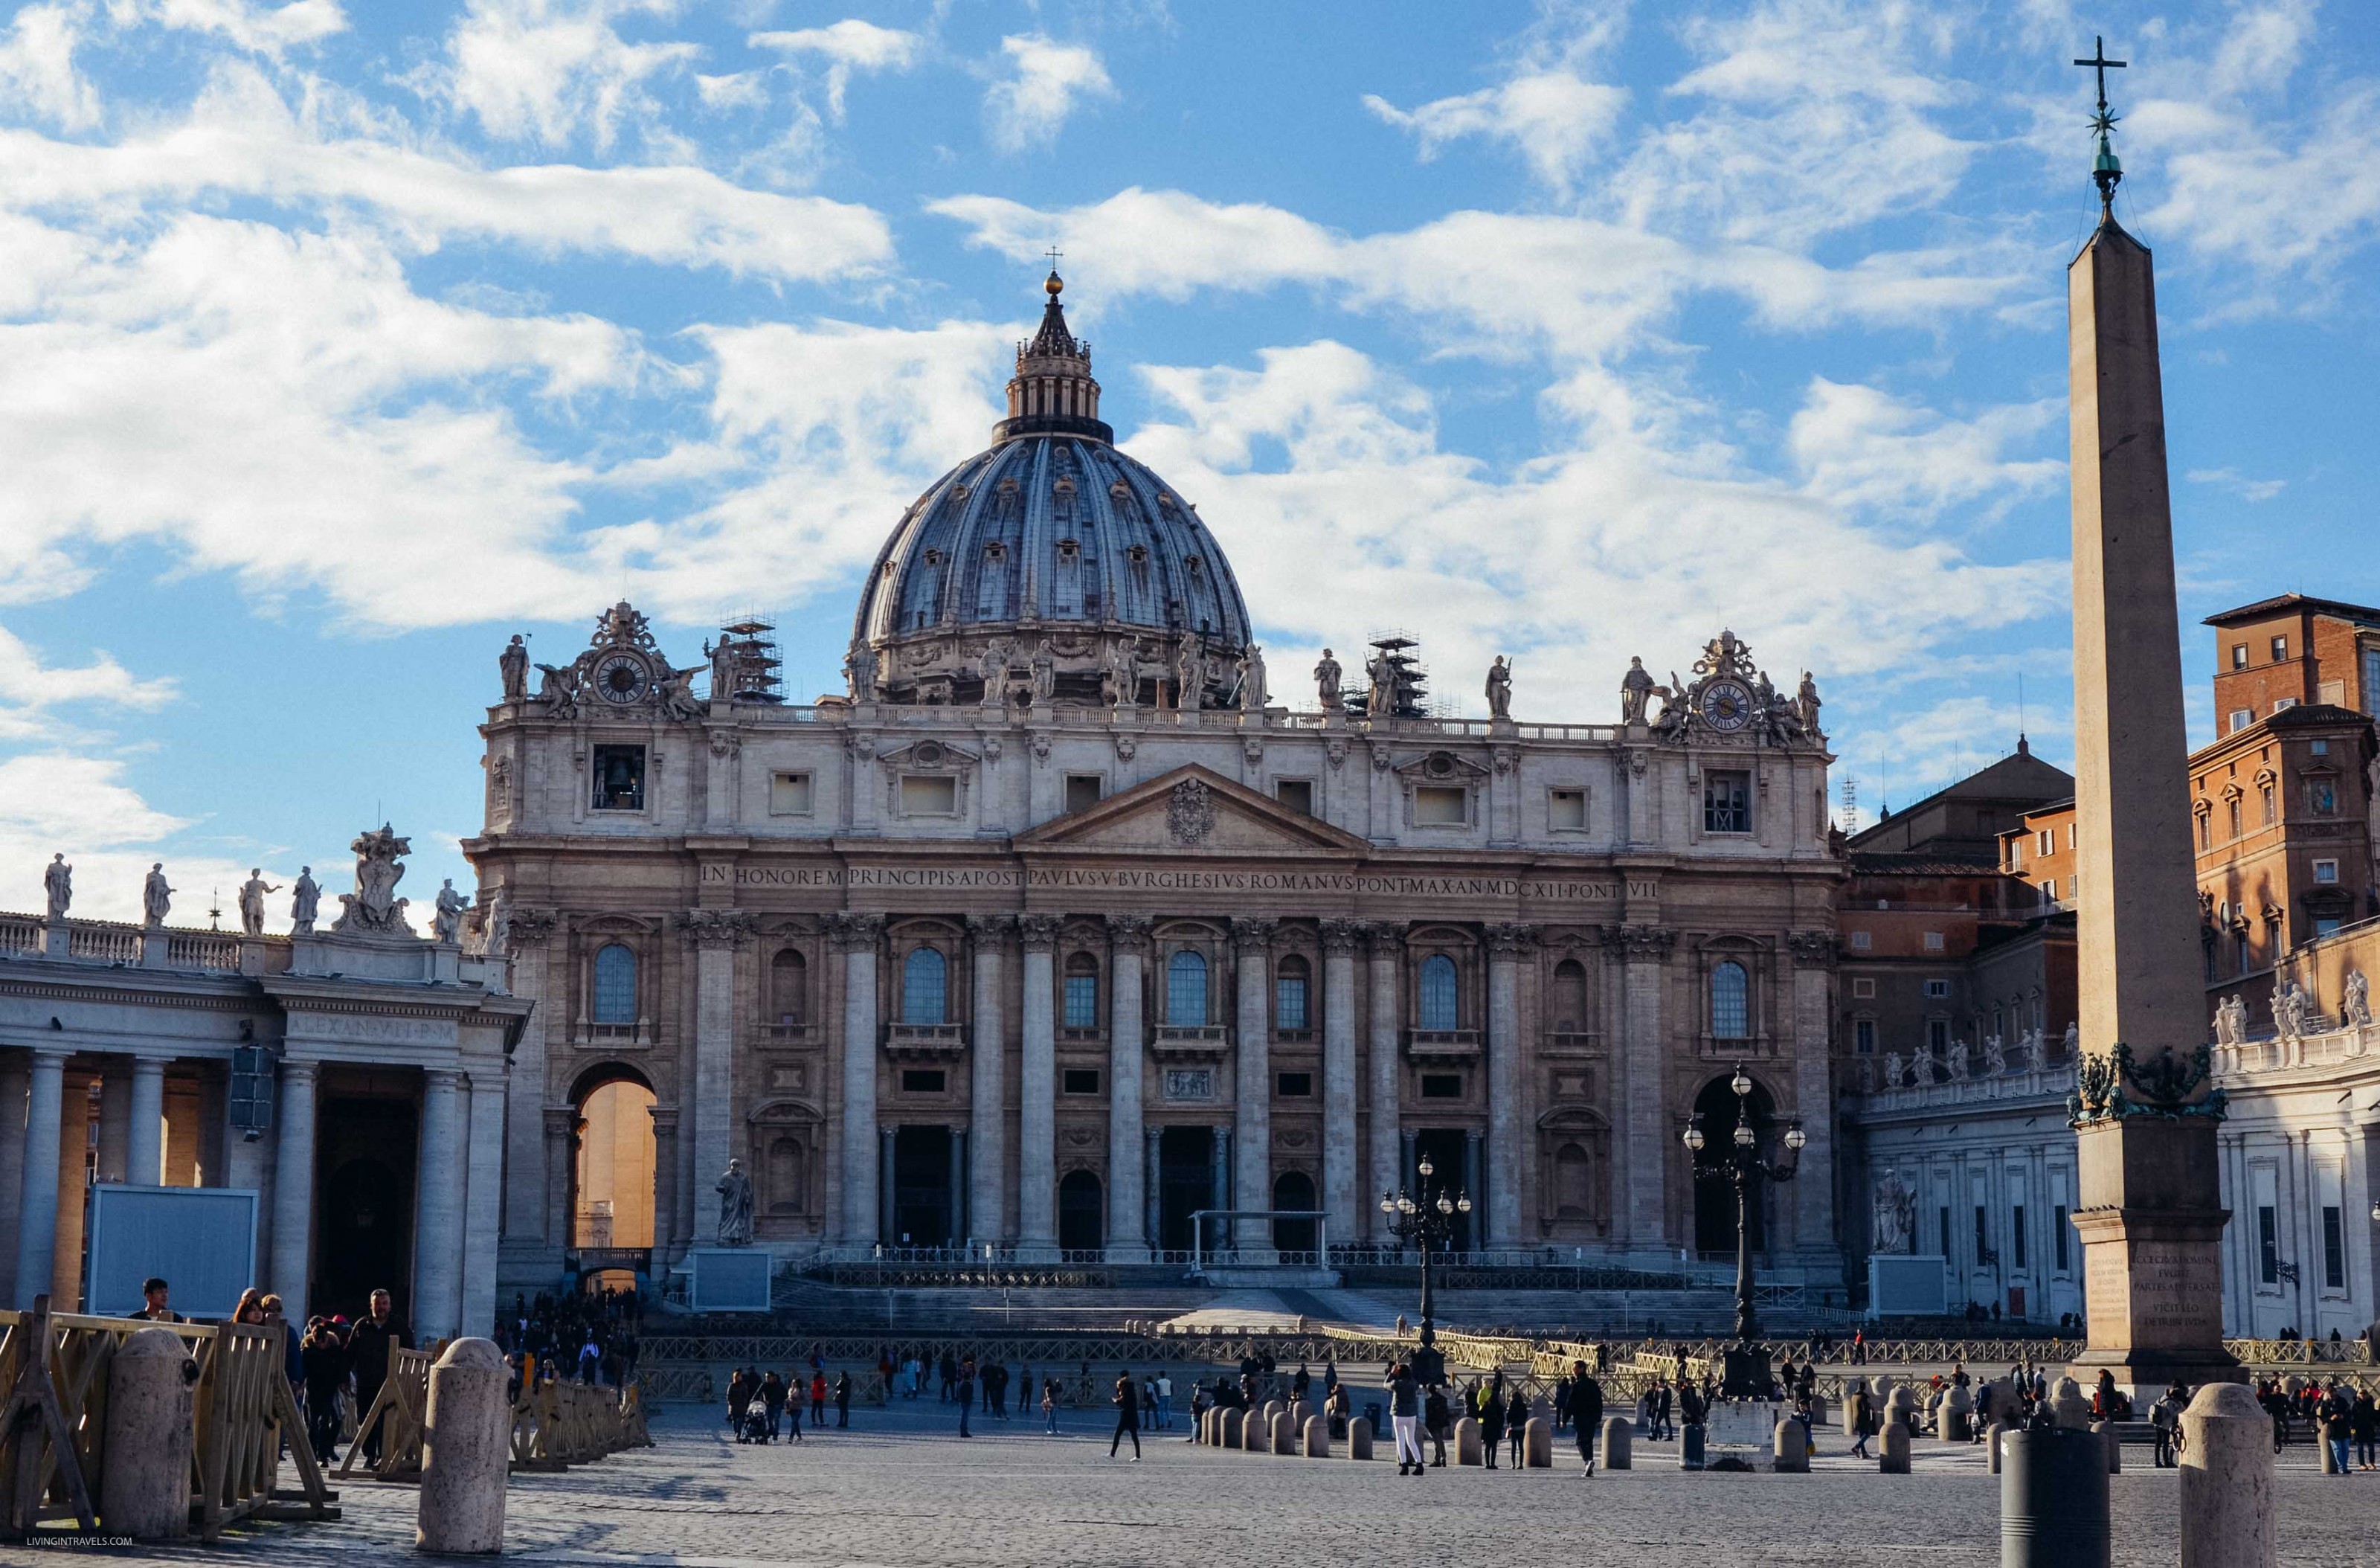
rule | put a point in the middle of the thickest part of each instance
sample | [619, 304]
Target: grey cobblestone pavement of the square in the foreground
[901, 1488]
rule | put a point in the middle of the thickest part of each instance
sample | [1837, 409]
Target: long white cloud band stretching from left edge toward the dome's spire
[242, 139]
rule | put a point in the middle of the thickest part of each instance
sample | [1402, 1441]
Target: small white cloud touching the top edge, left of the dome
[556, 70]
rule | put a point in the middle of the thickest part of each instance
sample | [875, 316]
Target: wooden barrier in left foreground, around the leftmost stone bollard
[56, 1419]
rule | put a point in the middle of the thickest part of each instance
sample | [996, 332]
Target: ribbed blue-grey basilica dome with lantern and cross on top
[1048, 565]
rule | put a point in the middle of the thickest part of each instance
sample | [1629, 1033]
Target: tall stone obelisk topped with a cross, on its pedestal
[2150, 1208]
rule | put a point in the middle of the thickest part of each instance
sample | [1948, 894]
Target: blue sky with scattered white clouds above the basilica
[342, 341]
